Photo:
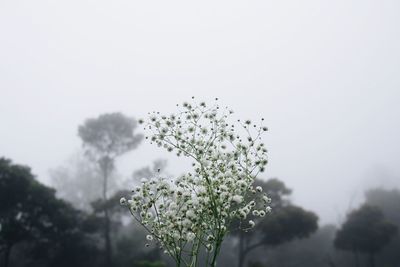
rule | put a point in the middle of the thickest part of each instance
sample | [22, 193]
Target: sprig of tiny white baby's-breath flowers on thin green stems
[194, 212]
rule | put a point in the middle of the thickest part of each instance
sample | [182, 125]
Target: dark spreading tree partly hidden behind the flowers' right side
[285, 223]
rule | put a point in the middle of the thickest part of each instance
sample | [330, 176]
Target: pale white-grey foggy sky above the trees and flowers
[325, 75]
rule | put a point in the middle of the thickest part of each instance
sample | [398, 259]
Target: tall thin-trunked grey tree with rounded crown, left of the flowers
[105, 138]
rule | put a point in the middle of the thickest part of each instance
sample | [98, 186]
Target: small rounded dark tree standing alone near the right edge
[365, 231]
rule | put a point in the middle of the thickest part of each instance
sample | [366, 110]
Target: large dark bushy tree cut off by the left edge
[31, 214]
